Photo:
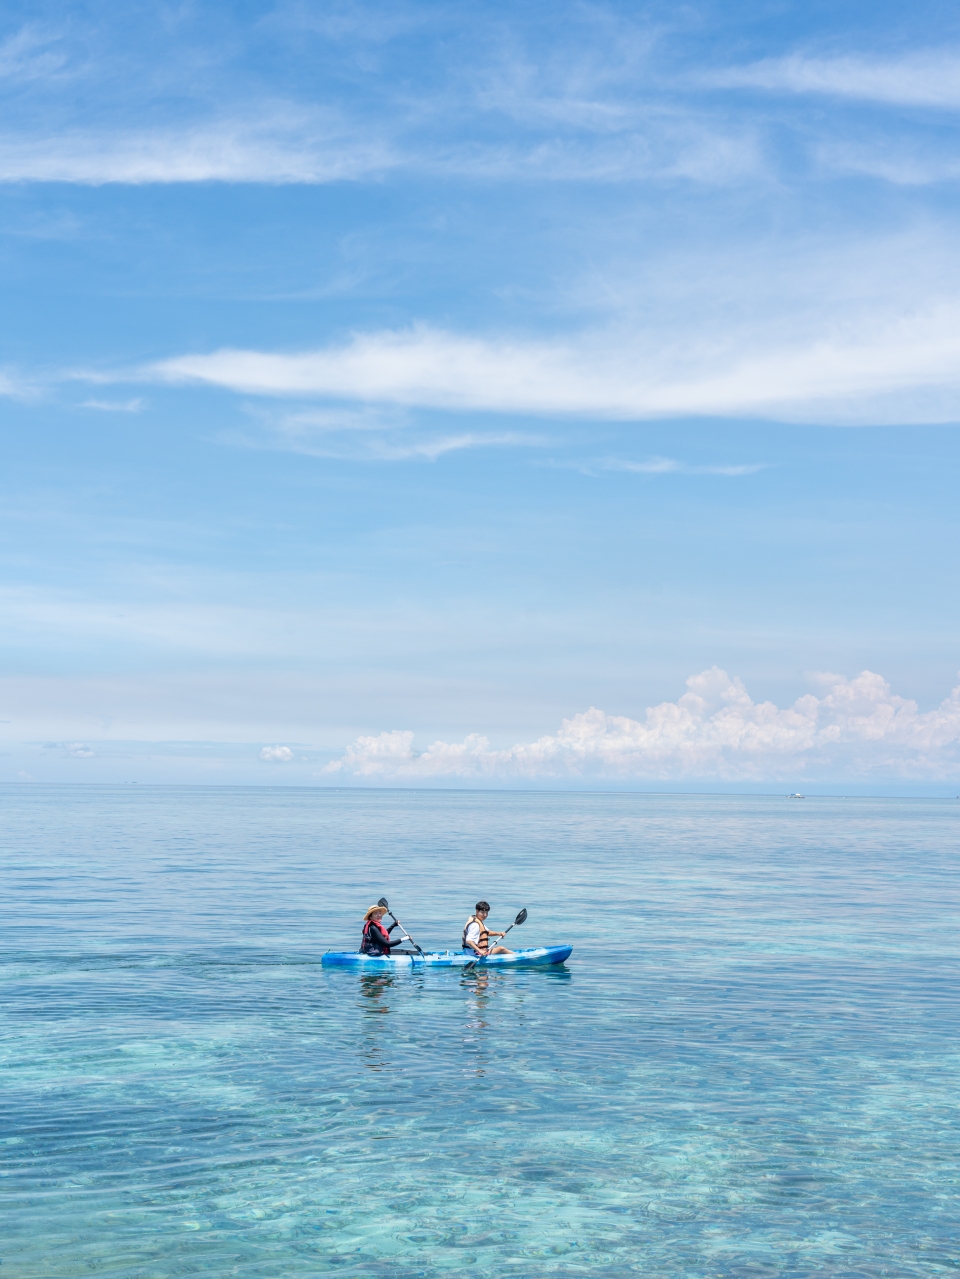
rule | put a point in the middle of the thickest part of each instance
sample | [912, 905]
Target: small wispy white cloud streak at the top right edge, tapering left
[924, 79]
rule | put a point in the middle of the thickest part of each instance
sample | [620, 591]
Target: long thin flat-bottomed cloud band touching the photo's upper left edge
[309, 148]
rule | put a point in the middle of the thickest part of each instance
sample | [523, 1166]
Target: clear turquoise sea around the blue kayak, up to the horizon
[748, 1067]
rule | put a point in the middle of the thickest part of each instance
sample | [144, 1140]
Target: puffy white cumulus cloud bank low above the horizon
[858, 728]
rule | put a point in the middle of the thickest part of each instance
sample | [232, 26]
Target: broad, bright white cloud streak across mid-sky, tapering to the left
[865, 369]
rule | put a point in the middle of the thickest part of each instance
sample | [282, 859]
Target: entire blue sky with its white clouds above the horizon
[387, 387]
